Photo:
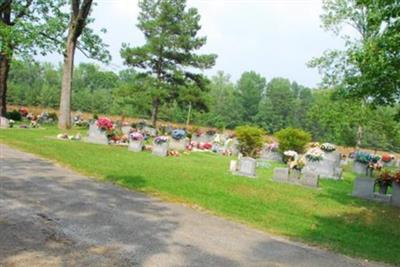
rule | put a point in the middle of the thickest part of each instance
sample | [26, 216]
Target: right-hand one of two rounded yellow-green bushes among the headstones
[293, 139]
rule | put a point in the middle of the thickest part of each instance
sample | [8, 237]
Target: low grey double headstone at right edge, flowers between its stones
[364, 187]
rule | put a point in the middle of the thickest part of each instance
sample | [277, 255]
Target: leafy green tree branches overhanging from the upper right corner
[369, 67]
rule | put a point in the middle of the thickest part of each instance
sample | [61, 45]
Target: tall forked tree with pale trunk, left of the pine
[91, 43]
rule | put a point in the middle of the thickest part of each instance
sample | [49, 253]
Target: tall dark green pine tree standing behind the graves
[168, 56]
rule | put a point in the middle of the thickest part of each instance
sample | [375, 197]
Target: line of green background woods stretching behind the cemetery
[272, 105]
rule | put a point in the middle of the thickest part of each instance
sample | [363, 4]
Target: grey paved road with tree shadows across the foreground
[51, 216]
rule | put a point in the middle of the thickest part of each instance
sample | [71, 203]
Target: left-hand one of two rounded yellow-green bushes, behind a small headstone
[251, 139]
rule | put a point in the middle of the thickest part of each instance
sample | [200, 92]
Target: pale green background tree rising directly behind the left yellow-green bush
[250, 87]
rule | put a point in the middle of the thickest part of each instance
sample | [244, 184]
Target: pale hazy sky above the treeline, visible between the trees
[275, 38]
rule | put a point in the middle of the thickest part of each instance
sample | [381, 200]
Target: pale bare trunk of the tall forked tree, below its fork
[68, 69]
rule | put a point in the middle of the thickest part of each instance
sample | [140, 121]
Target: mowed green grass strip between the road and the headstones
[328, 217]
